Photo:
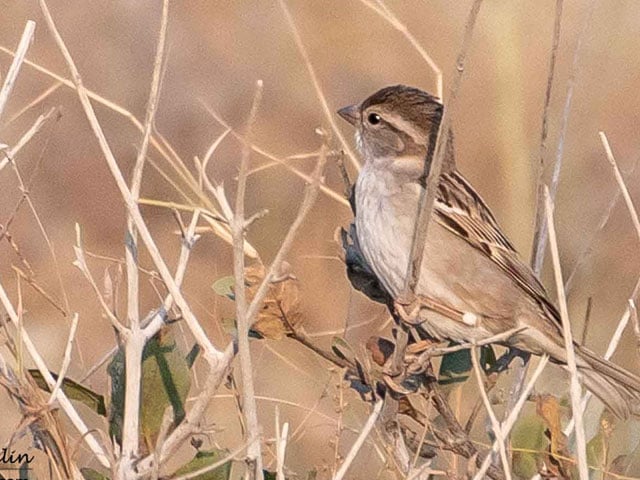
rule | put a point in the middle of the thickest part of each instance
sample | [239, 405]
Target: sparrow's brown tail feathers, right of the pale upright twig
[618, 388]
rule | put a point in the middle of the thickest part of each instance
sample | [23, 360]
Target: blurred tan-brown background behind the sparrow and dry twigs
[217, 51]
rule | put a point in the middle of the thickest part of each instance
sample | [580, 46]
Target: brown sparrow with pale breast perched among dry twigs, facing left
[472, 282]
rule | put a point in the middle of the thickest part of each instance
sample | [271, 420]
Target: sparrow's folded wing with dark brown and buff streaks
[461, 210]
